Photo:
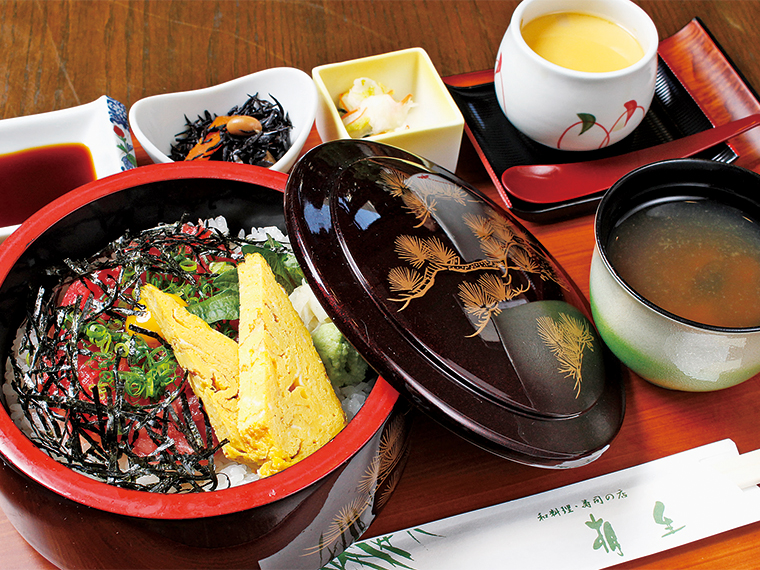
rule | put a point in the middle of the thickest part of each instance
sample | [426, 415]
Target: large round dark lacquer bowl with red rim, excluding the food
[299, 518]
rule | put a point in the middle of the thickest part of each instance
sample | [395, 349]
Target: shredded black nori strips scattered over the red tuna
[94, 431]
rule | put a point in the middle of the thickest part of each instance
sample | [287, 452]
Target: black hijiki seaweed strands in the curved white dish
[260, 149]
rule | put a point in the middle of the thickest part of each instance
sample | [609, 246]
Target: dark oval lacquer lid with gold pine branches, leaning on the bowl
[454, 303]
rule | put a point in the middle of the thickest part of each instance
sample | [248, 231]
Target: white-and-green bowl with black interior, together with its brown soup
[675, 273]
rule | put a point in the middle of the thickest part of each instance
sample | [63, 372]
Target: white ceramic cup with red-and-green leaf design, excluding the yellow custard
[575, 110]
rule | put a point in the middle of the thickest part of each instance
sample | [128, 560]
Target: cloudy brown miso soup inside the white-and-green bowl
[697, 259]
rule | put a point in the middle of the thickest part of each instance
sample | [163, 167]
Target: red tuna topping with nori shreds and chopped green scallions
[97, 422]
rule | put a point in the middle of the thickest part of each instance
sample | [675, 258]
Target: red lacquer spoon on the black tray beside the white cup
[549, 183]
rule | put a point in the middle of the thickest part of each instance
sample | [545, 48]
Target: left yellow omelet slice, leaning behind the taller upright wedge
[211, 360]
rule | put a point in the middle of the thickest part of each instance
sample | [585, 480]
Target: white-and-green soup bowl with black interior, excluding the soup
[661, 347]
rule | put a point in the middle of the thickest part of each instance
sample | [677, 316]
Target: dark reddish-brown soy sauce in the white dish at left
[30, 179]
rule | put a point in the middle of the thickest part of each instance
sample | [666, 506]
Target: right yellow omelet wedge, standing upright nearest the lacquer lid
[287, 407]
